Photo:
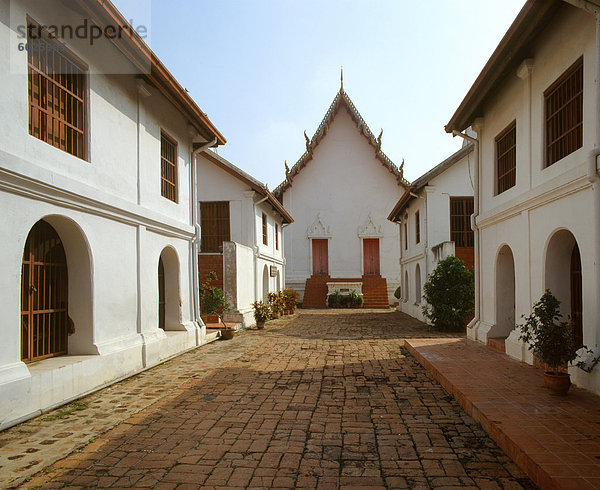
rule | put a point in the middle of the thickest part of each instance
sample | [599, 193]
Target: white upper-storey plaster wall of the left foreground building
[112, 124]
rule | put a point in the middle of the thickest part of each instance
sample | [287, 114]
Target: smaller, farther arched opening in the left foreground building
[169, 298]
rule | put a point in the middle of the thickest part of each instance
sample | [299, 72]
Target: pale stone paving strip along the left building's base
[39, 442]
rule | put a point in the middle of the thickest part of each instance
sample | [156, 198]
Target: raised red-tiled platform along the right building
[555, 440]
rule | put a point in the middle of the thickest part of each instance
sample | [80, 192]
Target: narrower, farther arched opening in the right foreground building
[505, 292]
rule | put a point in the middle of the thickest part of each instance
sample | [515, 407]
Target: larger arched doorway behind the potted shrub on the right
[564, 278]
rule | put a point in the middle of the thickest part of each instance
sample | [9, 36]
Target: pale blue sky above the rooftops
[266, 70]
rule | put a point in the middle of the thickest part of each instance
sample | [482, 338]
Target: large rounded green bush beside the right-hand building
[449, 294]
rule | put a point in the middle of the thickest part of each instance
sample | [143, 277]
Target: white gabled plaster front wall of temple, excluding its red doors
[344, 183]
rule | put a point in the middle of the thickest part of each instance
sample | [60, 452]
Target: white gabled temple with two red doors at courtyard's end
[340, 192]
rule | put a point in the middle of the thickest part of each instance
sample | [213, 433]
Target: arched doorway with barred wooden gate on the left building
[44, 295]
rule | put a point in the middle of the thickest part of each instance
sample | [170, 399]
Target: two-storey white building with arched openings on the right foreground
[535, 108]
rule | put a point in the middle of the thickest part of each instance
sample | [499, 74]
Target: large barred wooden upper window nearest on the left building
[57, 93]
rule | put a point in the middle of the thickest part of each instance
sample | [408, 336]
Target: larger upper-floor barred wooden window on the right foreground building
[568, 116]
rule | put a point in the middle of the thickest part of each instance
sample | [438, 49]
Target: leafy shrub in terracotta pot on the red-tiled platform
[551, 341]
